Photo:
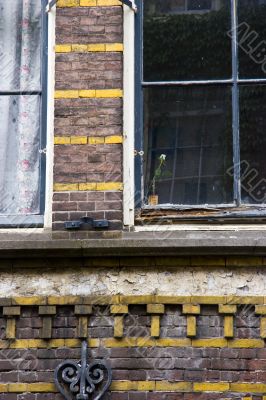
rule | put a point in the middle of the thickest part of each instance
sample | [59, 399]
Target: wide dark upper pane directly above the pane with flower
[187, 40]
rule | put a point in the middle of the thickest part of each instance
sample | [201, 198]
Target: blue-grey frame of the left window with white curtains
[33, 221]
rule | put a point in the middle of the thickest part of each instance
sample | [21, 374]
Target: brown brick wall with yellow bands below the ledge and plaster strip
[148, 361]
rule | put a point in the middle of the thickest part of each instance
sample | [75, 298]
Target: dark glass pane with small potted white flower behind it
[188, 145]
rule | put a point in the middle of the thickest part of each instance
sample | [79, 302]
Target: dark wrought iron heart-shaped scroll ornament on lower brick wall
[82, 381]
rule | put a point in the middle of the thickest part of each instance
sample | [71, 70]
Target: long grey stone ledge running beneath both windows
[121, 244]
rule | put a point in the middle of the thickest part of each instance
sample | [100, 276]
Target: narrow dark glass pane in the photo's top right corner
[252, 38]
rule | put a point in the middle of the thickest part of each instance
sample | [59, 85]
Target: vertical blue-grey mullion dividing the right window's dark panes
[235, 104]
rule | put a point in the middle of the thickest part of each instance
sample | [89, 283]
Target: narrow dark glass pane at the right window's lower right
[253, 143]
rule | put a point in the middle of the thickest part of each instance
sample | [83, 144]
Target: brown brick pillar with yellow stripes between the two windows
[88, 112]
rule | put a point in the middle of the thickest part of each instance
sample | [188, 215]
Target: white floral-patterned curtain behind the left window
[20, 70]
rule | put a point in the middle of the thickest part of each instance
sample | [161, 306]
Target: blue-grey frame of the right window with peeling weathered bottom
[161, 212]
